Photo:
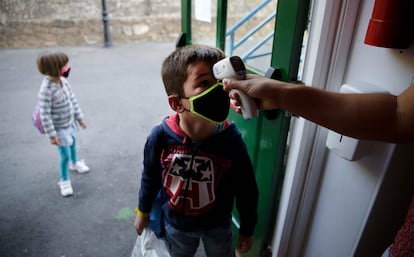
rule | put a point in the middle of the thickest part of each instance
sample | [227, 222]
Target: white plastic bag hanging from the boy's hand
[148, 245]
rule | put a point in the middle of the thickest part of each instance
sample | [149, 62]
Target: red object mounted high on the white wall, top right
[391, 24]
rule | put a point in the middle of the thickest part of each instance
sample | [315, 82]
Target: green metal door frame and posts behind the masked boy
[266, 138]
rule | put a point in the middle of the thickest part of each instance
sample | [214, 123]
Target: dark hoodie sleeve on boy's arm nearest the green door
[247, 193]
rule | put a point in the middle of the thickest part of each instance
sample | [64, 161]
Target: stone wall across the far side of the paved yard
[40, 23]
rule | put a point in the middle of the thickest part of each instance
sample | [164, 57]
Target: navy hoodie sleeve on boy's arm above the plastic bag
[151, 177]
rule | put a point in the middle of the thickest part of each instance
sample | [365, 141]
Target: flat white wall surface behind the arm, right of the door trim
[348, 189]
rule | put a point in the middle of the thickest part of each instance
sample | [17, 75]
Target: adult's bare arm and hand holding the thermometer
[367, 116]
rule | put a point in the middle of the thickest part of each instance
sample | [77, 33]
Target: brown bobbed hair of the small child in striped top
[51, 64]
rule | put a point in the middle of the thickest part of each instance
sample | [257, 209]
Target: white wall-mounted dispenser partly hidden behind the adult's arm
[347, 147]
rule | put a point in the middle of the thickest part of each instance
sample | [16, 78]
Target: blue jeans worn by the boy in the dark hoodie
[217, 242]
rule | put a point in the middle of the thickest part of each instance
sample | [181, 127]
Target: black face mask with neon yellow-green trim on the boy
[212, 104]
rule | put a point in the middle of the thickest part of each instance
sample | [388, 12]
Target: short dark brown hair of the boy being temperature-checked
[174, 68]
